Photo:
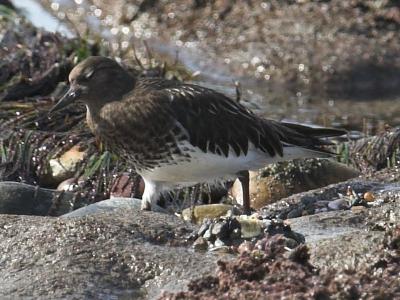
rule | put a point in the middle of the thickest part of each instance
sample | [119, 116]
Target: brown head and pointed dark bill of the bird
[96, 81]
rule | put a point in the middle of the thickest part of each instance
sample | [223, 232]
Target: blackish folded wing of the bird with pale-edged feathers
[216, 124]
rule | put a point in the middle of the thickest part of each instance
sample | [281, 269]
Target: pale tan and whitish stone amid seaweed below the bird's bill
[64, 167]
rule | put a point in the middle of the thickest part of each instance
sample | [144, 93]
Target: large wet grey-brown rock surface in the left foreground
[123, 253]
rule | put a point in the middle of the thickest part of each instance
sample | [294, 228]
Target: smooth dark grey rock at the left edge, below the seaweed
[23, 199]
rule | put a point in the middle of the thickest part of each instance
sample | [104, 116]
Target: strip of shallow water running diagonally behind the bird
[365, 113]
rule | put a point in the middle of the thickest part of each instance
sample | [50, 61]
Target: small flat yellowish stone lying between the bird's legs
[209, 211]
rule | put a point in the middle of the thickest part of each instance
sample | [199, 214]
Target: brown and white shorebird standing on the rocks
[177, 134]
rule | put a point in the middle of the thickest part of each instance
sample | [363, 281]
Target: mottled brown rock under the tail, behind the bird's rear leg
[284, 179]
